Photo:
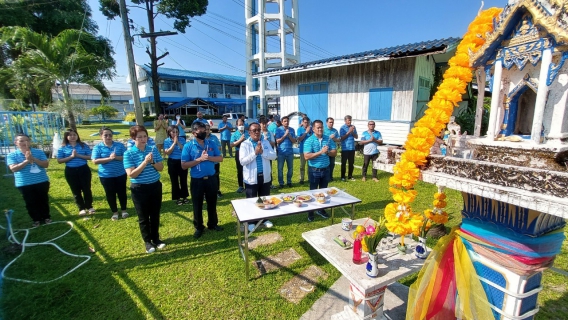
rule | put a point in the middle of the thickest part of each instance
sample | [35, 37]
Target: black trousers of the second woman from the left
[79, 180]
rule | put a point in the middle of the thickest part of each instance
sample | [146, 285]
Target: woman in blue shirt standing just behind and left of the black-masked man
[173, 145]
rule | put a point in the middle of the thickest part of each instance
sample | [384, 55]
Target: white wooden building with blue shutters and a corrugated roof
[390, 86]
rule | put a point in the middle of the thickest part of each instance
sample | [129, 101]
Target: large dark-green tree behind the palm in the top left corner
[50, 18]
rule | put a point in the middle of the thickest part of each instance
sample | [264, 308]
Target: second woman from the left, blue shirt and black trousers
[75, 154]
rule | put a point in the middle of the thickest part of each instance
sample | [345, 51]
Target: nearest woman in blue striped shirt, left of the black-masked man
[143, 165]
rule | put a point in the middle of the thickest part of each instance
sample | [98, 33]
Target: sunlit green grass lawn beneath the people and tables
[189, 279]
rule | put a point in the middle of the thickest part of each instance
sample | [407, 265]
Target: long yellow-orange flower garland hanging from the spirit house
[399, 215]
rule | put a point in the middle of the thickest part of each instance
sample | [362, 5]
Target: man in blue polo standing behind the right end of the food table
[317, 150]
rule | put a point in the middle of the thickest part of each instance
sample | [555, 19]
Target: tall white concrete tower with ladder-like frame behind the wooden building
[278, 21]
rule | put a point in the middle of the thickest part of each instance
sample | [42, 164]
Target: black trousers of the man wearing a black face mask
[204, 188]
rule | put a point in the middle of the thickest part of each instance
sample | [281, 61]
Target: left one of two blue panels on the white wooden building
[312, 100]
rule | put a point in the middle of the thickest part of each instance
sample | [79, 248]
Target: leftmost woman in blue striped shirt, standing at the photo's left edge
[28, 166]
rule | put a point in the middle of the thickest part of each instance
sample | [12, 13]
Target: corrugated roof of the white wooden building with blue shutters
[406, 50]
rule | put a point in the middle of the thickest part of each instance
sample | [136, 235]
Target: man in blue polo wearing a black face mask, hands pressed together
[200, 155]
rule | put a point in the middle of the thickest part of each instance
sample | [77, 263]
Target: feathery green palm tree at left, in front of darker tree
[58, 60]
